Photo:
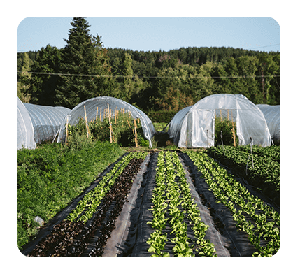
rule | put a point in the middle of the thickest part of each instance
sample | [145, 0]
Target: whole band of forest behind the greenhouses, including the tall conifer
[149, 80]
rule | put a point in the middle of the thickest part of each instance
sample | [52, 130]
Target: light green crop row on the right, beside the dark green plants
[258, 220]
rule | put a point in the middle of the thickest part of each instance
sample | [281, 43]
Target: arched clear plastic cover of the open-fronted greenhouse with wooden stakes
[102, 102]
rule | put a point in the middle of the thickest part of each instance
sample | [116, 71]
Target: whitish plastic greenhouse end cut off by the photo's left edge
[25, 130]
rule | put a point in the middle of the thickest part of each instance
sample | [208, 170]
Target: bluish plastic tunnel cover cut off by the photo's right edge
[272, 116]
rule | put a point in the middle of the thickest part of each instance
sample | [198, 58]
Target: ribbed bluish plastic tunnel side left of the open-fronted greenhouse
[46, 120]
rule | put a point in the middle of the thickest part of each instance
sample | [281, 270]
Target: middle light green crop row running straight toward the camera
[171, 197]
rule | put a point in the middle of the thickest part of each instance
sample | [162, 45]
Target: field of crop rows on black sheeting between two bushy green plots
[163, 204]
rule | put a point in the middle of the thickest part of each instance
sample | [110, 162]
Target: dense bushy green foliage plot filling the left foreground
[51, 176]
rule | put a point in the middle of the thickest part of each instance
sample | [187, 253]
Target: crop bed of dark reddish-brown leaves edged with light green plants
[74, 238]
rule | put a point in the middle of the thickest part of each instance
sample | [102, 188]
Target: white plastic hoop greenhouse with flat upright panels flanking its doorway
[194, 126]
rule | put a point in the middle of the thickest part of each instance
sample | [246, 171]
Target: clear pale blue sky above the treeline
[156, 33]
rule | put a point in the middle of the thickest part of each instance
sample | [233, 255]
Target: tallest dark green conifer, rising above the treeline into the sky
[83, 55]
